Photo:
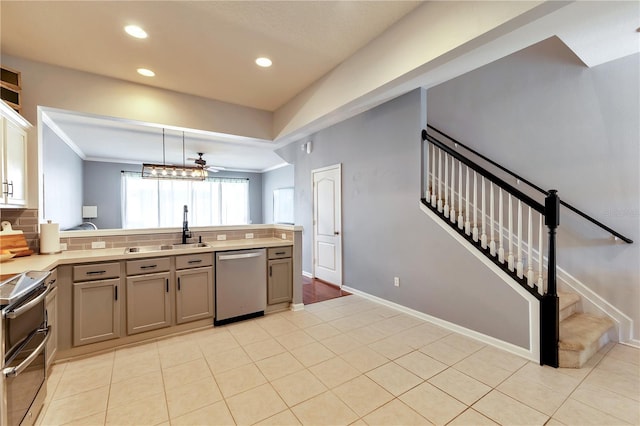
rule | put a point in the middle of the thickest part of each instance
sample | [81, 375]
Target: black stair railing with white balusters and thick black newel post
[449, 177]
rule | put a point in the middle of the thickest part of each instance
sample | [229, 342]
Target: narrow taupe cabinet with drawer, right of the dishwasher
[279, 279]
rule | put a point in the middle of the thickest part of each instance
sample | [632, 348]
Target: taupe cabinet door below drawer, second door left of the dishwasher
[148, 302]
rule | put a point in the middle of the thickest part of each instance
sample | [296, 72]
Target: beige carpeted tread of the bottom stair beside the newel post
[580, 330]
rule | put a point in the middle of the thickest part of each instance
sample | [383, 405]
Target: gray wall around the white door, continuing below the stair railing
[385, 234]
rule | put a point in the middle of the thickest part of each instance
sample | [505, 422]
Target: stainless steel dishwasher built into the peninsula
[241, 285]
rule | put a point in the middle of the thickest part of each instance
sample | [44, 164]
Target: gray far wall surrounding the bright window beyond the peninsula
[102, 189]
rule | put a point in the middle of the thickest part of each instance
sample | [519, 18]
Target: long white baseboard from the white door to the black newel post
[532, 355]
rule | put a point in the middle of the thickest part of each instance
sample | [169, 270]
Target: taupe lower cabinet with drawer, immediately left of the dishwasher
[194, 287]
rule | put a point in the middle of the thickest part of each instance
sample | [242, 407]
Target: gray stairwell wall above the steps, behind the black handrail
[544, 115]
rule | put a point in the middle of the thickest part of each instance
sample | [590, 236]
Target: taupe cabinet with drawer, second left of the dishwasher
[148, 294]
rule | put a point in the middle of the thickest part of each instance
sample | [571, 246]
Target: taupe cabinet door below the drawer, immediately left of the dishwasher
[194, 294]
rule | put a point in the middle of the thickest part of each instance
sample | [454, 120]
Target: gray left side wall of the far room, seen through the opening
[63, 187]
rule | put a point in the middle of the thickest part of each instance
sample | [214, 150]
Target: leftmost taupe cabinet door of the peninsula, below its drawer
[96, 311]
